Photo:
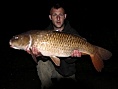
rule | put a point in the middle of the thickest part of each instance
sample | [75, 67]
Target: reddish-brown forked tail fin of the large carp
[98, 57]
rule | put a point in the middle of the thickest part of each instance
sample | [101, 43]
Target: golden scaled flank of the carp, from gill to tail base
[54, 43]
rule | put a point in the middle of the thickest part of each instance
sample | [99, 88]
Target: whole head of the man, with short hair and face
[57, 15]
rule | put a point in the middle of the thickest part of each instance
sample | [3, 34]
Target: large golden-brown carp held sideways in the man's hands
[55, 44]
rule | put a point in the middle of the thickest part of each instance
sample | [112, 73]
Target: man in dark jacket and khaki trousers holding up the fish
[46, 69]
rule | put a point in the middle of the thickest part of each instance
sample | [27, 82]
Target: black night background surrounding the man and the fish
[97, 21]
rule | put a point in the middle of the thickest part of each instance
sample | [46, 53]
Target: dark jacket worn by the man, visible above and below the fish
[67, 66]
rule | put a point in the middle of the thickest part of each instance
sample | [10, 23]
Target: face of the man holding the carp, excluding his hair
[57, 16]
